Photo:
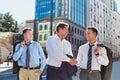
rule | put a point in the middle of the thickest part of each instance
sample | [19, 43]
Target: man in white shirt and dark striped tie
[91, 57]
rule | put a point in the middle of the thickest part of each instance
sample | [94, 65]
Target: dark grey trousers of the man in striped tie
[90, 75]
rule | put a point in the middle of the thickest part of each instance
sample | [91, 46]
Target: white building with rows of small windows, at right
[101, 16]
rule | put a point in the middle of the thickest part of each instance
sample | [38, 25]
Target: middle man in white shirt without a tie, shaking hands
[58, 48]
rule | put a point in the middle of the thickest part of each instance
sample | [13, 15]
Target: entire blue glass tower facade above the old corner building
[73, 10]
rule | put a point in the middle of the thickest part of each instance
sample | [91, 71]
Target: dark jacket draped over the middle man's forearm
[66, 71]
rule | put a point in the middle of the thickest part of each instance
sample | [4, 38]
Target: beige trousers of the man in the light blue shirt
[26, 74]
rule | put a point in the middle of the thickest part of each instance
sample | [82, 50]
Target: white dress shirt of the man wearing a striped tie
[82, 57]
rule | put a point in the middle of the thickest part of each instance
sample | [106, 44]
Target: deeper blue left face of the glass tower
[43, 8]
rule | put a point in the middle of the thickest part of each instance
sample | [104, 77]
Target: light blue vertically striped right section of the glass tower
[78, 11]
